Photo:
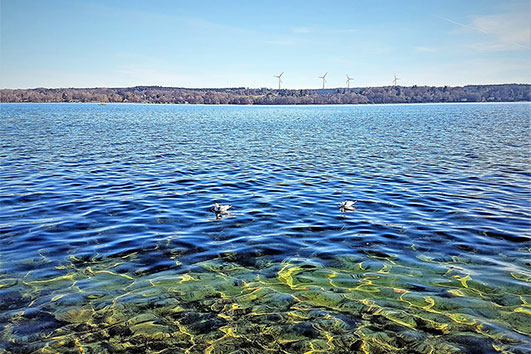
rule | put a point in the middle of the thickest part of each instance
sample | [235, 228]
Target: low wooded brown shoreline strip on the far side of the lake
[241, 95]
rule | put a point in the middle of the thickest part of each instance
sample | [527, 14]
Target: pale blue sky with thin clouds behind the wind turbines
[229, 43]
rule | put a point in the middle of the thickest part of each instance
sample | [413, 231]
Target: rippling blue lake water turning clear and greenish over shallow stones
[107, 243]
